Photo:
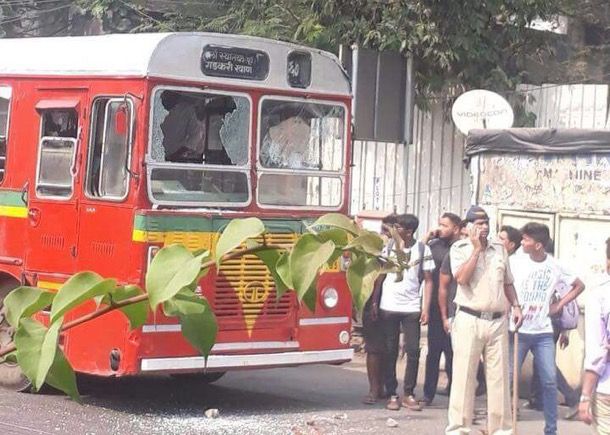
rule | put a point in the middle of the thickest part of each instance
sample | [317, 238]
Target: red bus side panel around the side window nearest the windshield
[106, 346]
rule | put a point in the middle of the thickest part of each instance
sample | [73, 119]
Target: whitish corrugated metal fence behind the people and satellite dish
[428, 177]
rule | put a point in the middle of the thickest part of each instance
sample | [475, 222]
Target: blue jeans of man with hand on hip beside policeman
[542, 347]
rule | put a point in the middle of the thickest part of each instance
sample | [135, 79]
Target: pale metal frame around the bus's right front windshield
[262, 170]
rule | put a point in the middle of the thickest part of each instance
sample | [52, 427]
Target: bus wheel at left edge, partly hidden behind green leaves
[11, 376]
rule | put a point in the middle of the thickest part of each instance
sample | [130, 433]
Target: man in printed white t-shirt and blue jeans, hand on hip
[536, 278]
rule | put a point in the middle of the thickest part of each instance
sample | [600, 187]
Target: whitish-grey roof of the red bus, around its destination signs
[162, 55]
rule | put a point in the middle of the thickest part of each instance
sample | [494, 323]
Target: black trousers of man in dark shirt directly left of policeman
[439, 342]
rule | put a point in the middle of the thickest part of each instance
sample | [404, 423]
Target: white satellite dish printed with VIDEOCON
[481, 109]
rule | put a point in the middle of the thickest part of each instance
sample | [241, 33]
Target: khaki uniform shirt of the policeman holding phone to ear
[485, 291]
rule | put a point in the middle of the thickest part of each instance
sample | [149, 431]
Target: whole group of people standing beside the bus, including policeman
[487, 303]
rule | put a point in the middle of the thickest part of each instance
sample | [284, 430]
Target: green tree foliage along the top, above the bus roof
[472, 43]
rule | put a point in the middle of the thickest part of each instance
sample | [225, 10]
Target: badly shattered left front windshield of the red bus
[199, 147]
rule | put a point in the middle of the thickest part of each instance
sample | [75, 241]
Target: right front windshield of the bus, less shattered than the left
[301, 153]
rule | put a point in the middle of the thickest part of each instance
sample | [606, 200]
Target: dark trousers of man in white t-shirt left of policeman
[393, 322]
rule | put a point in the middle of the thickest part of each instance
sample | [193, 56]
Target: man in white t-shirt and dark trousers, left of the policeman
[401, 307]
